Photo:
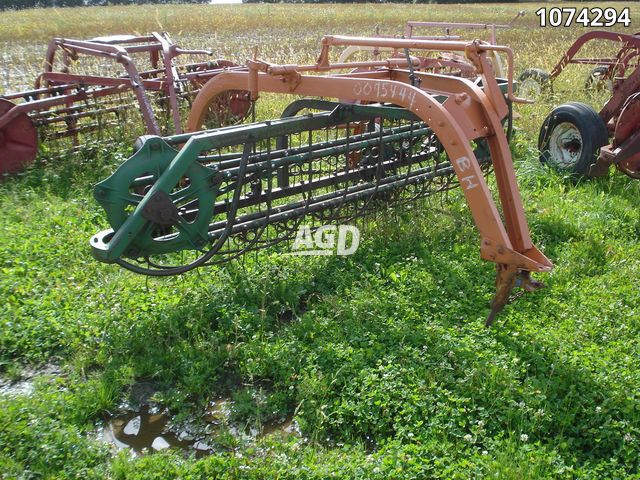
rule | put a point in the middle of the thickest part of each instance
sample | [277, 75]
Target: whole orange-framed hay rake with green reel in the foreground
[205, 197]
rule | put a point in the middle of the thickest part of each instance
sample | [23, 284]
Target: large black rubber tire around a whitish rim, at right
[590, 127]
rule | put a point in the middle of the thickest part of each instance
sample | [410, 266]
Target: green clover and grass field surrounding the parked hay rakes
[381, 359]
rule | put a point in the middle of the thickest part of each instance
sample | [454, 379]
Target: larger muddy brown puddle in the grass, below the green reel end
[149, 429]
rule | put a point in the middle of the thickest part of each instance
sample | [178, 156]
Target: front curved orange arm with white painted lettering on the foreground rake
[496, 244]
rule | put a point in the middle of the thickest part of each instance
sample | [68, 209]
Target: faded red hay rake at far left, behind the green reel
[68, 103]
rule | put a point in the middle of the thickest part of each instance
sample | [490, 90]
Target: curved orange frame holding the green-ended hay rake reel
[467, 113]
